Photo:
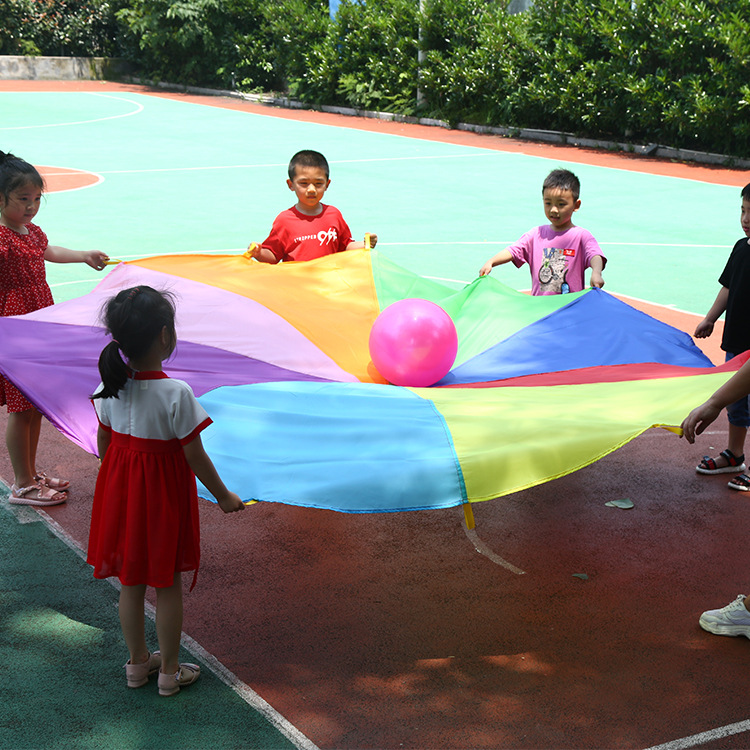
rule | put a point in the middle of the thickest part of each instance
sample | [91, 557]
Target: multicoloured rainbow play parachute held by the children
[278, 355]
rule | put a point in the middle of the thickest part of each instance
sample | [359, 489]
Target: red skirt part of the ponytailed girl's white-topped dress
[145, 524]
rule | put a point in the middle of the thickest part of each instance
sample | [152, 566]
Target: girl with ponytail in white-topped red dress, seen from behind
[144, 522]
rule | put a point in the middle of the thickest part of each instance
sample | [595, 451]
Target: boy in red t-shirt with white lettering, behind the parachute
[309, 229]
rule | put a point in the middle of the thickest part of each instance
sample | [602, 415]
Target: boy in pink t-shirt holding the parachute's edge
[558, 253]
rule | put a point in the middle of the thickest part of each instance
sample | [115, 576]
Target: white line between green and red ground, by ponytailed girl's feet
[244, 691]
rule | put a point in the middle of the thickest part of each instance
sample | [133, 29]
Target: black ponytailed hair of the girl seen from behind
[134, 318]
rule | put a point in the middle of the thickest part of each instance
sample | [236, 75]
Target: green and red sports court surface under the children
[559, 623]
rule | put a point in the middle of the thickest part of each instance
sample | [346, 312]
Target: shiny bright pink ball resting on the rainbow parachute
[413, 342]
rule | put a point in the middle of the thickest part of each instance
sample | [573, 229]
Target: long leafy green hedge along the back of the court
[674, 72]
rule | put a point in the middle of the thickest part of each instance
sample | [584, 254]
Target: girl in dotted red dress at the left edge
[23, 288]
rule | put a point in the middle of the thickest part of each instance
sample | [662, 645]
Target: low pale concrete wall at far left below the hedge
[61, 68]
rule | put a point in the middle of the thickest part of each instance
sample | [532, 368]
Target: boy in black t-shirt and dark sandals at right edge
[734, 299]
